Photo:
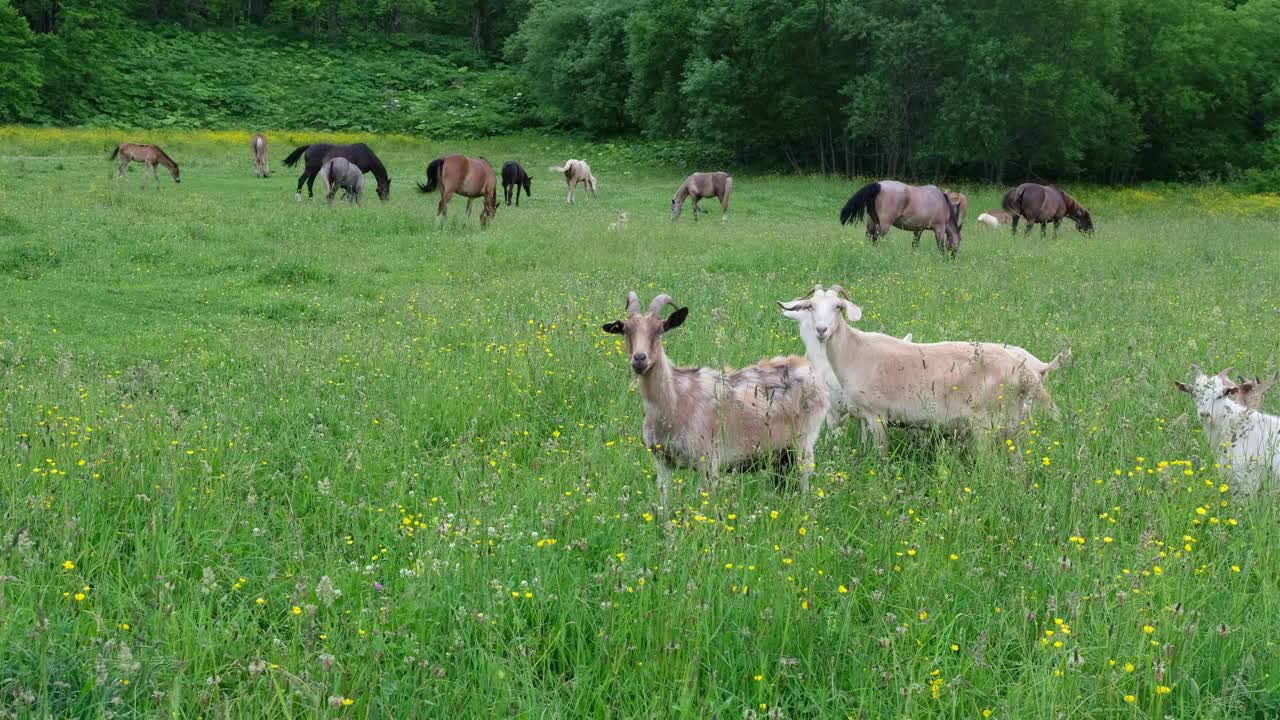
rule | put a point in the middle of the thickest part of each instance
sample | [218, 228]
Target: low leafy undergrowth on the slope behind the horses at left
[212, 80]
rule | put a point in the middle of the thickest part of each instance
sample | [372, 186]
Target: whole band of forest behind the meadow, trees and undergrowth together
[1107, 90]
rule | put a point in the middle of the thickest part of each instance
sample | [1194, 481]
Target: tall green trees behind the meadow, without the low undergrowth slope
[1105, 90]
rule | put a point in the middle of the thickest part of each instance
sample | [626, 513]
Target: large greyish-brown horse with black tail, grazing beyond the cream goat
[892, 204]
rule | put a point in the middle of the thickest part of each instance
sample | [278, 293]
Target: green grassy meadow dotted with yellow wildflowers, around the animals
[221, 408]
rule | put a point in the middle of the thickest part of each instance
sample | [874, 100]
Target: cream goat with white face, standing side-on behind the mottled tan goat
[889, 381]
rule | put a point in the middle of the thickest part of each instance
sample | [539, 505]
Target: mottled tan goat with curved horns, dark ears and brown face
[711, 421]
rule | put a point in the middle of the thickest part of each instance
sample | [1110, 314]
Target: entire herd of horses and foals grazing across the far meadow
[885, 204]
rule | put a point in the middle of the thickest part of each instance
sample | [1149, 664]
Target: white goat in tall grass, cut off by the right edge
[1247, 443]
